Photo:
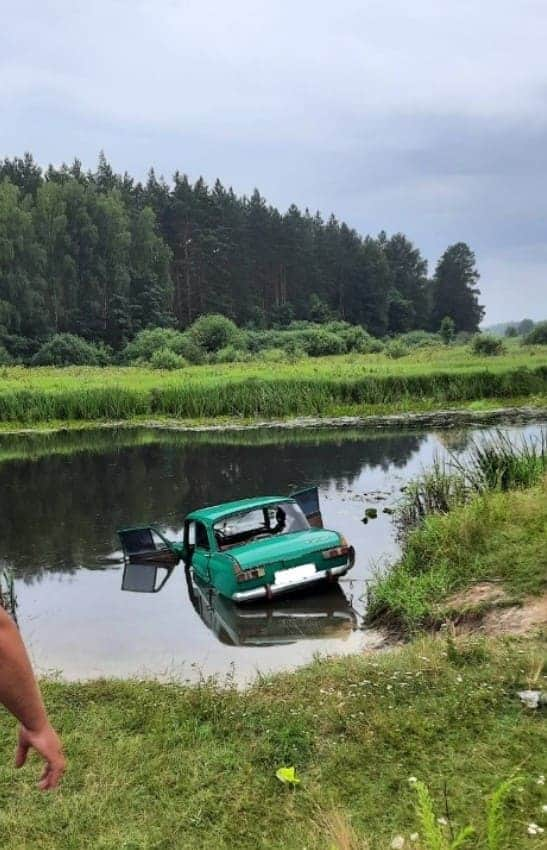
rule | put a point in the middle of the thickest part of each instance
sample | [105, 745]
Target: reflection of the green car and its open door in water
[326, 614]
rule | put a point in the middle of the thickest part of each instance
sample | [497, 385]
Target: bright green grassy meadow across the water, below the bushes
[358, 384]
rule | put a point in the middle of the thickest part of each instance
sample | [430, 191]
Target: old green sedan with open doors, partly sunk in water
[254, 548]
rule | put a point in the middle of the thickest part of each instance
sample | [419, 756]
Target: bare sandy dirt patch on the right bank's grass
[486, 608]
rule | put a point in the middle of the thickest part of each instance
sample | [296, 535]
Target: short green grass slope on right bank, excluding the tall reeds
[498, 535]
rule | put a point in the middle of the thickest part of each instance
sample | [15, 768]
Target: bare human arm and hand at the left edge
[20, 694]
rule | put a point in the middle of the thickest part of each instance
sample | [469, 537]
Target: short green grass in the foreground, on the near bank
[161, 767]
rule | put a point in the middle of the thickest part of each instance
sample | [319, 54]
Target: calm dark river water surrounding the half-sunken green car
[84, 615]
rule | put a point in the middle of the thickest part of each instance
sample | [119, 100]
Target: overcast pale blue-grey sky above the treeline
[426, 116]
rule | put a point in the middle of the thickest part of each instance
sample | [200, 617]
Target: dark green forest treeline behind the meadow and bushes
[103, 256]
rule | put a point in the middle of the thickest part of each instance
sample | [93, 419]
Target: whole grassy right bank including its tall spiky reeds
[488, 524]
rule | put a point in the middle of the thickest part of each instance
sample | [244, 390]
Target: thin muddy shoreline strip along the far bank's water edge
[444, 419]
